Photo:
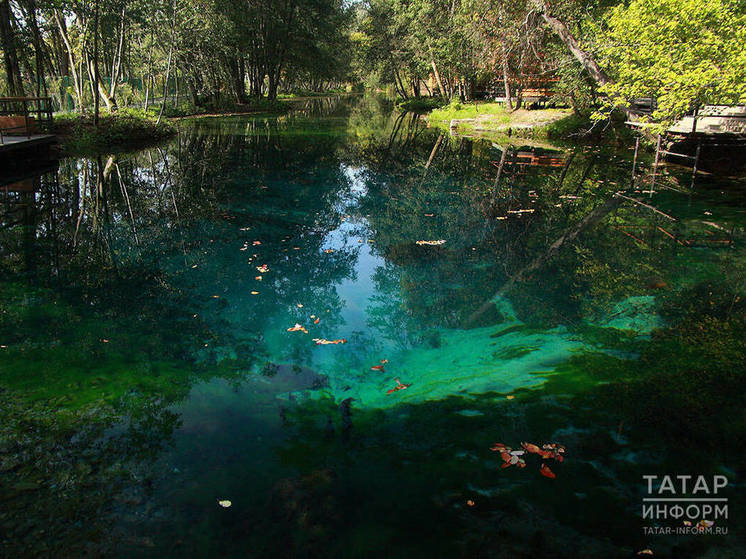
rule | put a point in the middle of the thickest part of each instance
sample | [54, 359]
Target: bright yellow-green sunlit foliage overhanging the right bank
[681, 52]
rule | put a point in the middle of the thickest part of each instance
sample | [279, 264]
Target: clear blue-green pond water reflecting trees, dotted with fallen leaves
[147, 371]
